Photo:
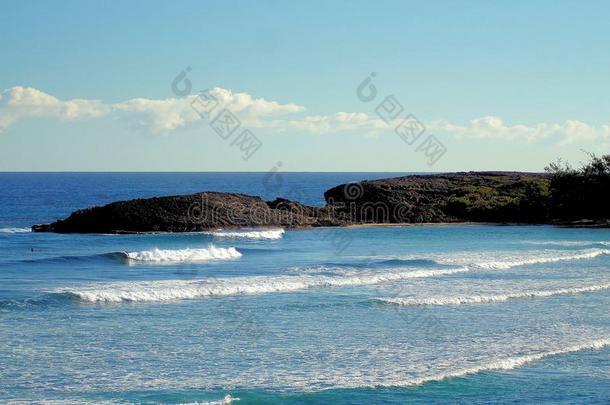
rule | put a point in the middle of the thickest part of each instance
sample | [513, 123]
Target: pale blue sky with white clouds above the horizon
[390, 86]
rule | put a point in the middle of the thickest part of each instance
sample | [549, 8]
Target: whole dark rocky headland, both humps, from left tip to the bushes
[490, 197]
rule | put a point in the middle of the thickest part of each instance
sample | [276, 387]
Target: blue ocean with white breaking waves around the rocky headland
[368, 315]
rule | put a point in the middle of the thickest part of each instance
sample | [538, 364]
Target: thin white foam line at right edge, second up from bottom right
[481, 299]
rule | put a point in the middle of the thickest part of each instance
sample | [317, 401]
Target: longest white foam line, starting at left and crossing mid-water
[166, 290]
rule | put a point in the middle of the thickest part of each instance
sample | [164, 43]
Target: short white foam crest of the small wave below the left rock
[184, 255]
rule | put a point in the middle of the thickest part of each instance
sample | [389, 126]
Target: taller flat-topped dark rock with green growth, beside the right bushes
[452, 197]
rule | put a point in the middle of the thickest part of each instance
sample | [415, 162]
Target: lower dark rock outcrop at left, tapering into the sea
[185, 213]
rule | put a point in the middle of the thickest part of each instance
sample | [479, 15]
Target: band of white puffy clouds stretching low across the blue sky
[165, 116]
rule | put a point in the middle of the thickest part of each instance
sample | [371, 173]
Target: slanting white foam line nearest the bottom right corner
[507, 363]
